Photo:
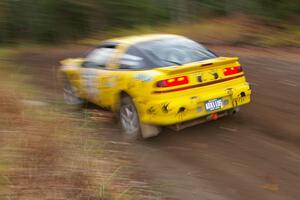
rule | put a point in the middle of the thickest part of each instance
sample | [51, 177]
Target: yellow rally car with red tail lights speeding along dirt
[157, 80]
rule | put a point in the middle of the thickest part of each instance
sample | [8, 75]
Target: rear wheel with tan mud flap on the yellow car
[130, 123]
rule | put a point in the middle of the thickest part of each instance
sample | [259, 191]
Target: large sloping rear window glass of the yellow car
[174, 51]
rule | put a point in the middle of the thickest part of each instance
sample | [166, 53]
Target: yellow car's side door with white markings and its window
[94, 73]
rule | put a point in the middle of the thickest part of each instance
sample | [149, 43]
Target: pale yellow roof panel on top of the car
[130, 40]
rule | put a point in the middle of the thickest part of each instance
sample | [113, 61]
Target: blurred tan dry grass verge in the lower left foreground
[50, 151]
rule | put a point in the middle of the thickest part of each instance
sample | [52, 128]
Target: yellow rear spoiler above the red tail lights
[197, 65]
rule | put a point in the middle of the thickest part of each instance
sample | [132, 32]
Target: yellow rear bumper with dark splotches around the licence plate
[165, 112]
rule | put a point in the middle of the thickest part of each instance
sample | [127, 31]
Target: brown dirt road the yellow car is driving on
[252, 155]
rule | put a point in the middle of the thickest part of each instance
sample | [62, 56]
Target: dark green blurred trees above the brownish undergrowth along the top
[60, 20]
